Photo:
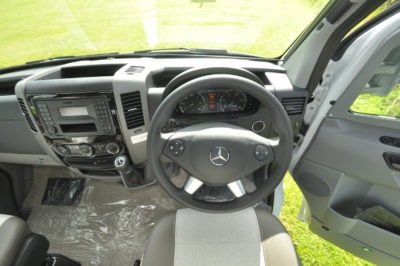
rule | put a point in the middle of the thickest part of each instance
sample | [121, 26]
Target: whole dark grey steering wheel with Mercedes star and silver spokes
[220, 154]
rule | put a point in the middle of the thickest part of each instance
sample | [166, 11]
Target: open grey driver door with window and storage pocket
[348, 162]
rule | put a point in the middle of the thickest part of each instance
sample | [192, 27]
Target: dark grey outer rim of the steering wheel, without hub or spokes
[156, 142]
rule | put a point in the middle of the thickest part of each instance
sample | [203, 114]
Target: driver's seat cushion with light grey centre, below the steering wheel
[249, 237]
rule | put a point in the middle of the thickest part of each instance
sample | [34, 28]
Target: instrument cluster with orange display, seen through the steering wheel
[217, 101]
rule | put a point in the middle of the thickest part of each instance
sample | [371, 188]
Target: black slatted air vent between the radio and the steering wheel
[133, 112]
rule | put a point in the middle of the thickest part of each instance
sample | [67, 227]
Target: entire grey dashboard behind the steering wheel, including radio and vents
[84, 114]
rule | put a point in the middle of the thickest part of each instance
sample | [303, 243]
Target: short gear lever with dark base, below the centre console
[130, 177]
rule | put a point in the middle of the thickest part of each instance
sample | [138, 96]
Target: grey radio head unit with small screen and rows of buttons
[75, 117]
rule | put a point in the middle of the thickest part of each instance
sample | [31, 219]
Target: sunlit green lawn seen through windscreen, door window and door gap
[34, 30]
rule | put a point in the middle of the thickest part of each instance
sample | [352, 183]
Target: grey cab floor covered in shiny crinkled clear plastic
[109, 226]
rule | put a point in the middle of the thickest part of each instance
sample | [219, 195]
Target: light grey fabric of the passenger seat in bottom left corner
[13, 233]
